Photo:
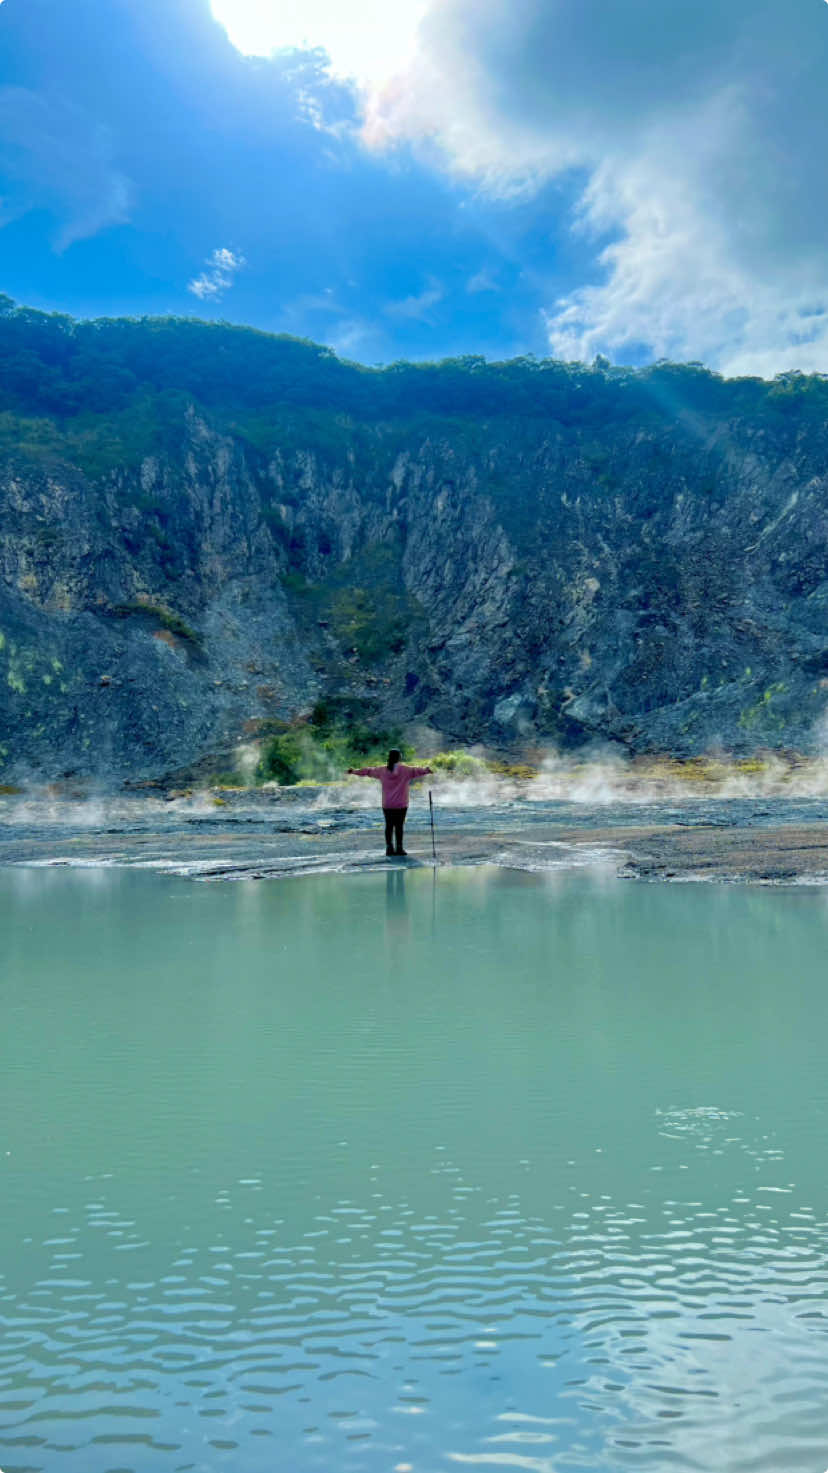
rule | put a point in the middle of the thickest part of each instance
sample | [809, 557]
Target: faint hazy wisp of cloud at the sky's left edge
[55, 157]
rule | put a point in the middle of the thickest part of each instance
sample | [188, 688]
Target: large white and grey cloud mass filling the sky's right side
[701, 130]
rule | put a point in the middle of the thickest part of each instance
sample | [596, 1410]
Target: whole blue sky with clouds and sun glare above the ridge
[440, 177]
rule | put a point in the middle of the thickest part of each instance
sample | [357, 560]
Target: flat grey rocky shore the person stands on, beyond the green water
[729, 845]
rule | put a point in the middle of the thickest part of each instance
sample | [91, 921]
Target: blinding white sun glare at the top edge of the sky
[366, 41]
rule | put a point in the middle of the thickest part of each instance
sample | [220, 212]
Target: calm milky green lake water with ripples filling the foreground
[379, 1173]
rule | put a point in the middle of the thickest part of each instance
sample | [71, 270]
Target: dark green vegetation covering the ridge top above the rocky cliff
[52, 366]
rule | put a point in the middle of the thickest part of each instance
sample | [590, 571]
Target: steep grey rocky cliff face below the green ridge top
[509, 583]
